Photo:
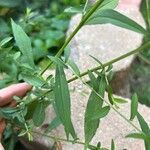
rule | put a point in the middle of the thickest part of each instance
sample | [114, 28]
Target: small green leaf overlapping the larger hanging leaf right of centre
[102, 113]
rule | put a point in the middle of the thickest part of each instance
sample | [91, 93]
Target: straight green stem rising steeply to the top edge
[84, 19]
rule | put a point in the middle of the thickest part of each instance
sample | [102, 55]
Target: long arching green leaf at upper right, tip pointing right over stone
[115, 18]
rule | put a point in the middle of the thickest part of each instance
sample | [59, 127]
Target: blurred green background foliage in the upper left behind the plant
[45, 23]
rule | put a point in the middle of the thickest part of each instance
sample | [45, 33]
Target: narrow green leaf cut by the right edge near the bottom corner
[145, 128]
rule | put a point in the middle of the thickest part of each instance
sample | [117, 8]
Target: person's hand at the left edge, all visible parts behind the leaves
[6, 99]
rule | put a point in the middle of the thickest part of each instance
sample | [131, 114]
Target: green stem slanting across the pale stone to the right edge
[143, 47]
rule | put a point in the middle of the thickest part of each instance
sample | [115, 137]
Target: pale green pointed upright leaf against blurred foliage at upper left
[24, 43]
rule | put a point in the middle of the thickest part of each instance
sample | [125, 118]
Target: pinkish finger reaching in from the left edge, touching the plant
[6, 94]
